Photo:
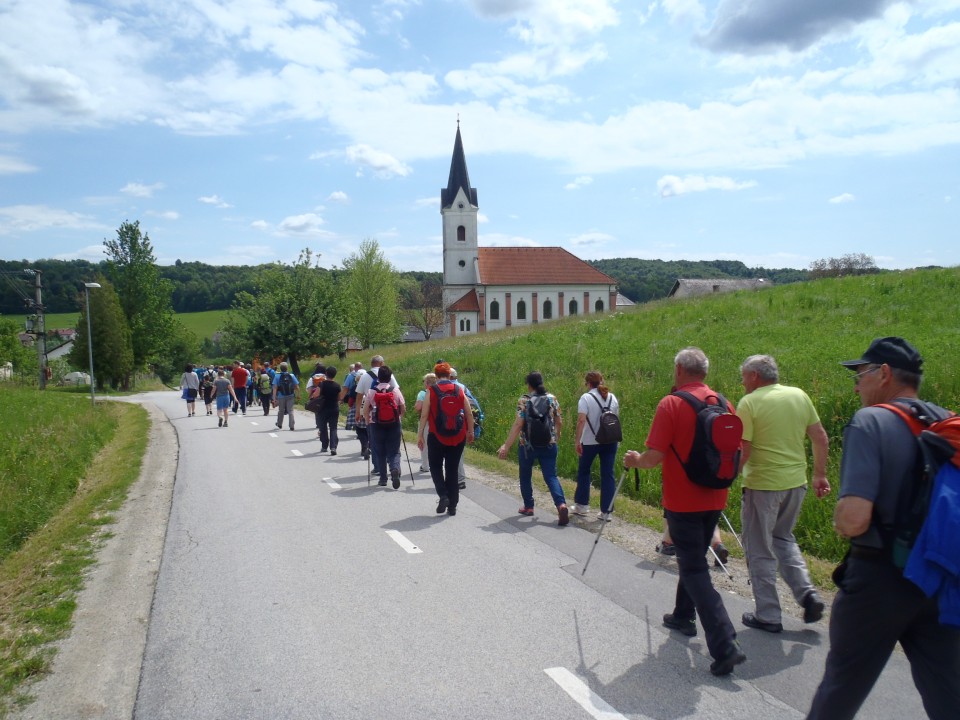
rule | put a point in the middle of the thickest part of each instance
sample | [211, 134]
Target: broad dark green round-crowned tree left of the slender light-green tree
[296, 312]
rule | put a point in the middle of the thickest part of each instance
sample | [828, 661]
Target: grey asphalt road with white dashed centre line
[290, 588]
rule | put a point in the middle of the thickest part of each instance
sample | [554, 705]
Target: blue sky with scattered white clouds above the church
[774, 132]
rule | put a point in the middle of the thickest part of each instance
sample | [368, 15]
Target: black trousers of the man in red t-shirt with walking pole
[691, 534]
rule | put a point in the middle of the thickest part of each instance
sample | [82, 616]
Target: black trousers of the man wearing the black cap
[874, 610]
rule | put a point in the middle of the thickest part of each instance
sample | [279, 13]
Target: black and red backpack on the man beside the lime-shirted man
[714, 458]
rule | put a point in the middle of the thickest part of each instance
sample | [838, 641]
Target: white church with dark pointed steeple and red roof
[490, 288]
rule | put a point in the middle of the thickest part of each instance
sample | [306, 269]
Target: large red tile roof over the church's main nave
[537, 265]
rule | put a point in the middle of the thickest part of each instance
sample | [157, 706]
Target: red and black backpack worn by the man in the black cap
[938, 444]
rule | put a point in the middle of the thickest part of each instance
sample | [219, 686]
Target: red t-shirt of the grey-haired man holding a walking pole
[674, 425]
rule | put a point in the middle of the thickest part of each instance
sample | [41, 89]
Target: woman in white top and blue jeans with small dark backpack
[589, 408]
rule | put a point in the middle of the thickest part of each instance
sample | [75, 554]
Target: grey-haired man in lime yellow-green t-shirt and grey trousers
[776, 421]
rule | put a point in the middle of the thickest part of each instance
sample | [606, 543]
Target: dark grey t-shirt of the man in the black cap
[879, 456]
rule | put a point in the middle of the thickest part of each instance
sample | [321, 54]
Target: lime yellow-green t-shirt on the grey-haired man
[775, 421]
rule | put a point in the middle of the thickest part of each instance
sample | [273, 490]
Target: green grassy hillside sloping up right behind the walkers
[808, 327]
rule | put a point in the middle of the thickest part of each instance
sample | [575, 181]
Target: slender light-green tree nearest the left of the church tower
[371, 290]
